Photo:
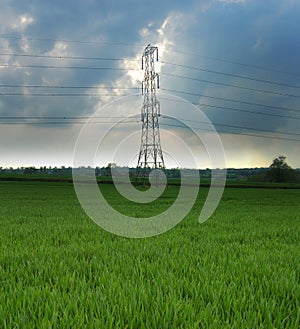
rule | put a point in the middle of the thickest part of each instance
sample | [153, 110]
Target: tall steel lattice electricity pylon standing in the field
[150, 155]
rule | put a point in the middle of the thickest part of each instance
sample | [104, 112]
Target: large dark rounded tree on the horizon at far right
[281, 172]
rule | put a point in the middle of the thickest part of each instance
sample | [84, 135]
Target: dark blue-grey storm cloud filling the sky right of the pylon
[260, 34]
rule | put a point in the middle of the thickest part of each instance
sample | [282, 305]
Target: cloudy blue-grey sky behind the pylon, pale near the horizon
[65, 62]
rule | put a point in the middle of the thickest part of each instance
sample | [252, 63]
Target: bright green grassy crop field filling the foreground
[58, 269]
